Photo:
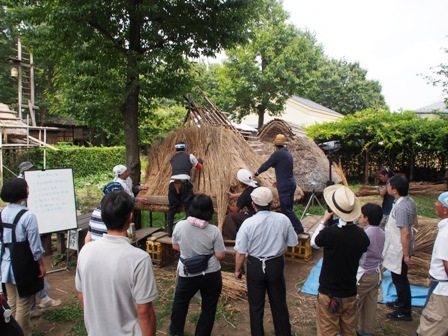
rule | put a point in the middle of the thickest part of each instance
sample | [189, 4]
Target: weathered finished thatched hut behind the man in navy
[311, 165]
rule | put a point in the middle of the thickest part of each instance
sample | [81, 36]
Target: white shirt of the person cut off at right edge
[440, 253]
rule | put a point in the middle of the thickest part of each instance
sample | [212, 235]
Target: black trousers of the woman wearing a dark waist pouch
[210, 286]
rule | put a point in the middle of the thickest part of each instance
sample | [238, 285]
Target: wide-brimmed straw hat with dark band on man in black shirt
[343, 202]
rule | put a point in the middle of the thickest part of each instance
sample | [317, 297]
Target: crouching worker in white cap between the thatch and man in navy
[235, 217]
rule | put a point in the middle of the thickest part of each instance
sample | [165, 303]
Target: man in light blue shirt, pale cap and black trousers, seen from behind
[263, 238]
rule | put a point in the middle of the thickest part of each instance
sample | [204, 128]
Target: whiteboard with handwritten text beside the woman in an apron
[52, 199]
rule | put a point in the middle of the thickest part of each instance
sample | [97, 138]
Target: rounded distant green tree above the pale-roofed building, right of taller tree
[343, 87]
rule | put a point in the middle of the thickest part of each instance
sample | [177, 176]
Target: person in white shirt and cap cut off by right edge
[434, 318]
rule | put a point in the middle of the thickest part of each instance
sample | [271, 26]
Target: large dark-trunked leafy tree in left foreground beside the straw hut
[127, 48]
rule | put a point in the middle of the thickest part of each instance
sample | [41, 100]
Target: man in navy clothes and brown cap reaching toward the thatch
[283, 164]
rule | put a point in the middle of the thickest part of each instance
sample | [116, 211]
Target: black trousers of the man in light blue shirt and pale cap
[272, 281]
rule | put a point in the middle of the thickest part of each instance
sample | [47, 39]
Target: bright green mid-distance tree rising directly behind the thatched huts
[279, 61]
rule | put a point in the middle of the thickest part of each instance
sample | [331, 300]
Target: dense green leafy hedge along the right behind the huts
[411, 141]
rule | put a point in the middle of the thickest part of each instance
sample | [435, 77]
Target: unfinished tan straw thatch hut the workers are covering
[223, 150]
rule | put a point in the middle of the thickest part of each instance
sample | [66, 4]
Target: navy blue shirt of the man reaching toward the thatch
[281, 160]
